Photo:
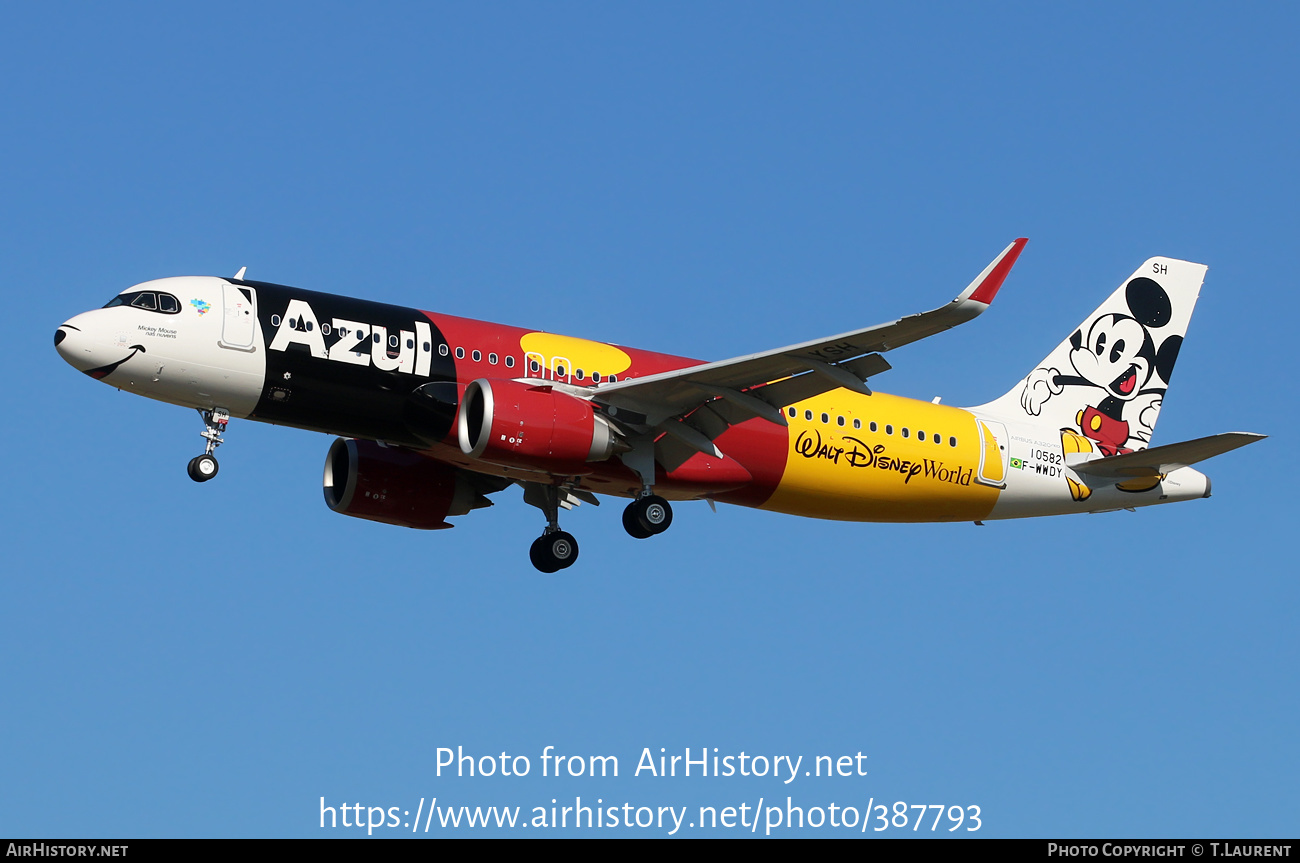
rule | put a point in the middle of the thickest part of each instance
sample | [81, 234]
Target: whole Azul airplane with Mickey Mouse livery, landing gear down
[436, 413]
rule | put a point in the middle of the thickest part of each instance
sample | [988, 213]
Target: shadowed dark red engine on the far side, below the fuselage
[395, 487]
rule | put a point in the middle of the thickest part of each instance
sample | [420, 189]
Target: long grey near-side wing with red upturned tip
[762, 384]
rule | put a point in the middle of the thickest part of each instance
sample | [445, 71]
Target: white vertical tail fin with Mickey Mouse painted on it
[1108, 380]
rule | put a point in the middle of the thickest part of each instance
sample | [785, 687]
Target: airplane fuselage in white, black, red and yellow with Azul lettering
[396, 375]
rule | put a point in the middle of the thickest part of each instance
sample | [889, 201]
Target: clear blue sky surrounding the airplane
[709, 181]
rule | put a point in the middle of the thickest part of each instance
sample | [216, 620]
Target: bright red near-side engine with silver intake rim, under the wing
[513, 423]
